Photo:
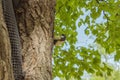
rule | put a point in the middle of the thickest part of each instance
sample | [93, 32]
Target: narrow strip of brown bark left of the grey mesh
[5, 51]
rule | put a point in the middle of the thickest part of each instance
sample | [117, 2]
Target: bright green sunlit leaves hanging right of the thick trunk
[71, 61]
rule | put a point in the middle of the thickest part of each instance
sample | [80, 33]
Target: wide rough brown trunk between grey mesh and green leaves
[35, 20]
